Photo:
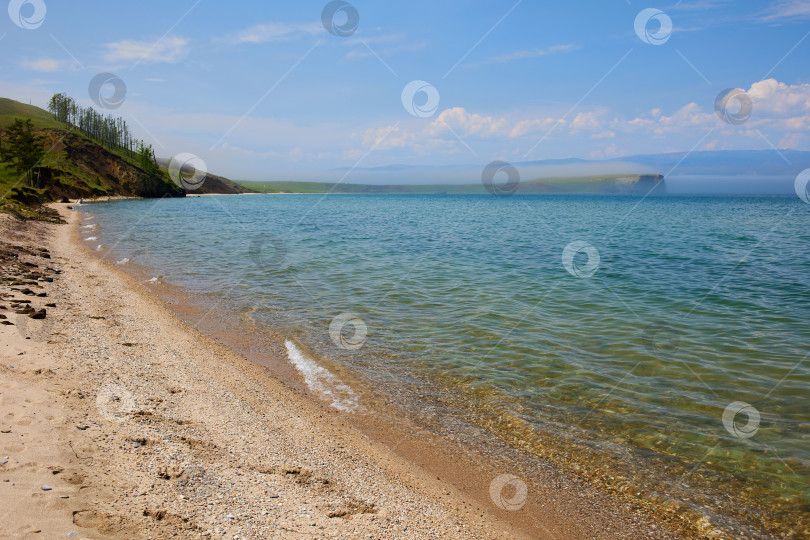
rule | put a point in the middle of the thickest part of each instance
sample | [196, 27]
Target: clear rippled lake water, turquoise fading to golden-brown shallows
[623, 376]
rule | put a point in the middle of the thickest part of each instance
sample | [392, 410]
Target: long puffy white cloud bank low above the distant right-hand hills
[780, 110]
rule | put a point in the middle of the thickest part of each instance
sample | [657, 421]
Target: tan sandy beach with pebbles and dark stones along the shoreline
[120, 421]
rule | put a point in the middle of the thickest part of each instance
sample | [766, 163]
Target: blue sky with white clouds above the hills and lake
[261, 90]
